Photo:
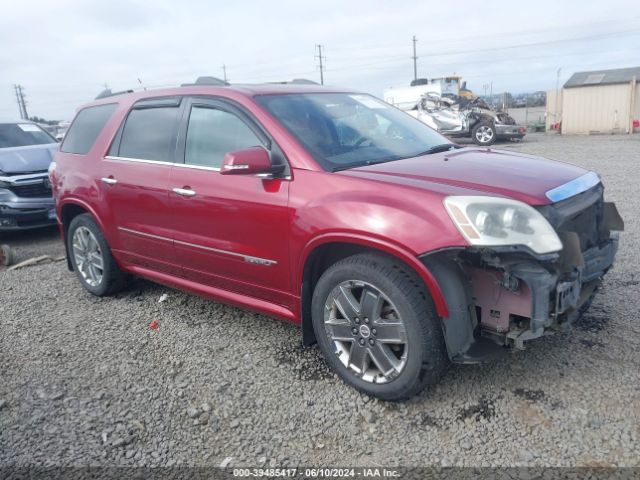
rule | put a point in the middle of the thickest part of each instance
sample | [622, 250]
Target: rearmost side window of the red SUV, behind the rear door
[86, 127]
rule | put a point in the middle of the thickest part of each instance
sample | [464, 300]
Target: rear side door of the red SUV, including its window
[135, 178]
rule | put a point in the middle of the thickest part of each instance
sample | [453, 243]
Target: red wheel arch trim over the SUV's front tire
[326, 250]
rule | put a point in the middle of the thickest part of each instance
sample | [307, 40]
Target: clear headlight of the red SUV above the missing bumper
[493, 221]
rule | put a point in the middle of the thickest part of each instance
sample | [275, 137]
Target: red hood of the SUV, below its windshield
[479, 171]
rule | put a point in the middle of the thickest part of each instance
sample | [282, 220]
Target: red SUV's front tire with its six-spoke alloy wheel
[375, 324]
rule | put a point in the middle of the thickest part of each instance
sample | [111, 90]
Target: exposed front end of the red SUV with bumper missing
[504, 296]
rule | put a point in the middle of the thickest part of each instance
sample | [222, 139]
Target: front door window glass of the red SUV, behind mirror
[212, 133]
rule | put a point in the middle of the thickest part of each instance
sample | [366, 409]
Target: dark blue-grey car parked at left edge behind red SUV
[26, 201]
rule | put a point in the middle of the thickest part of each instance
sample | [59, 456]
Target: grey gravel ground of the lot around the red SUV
[85, 380]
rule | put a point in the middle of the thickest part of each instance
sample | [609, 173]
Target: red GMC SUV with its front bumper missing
[396, 250]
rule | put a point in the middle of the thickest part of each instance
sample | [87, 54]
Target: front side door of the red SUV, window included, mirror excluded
[231, 231]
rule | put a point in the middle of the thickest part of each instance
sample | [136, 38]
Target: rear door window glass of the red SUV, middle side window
[150, 134]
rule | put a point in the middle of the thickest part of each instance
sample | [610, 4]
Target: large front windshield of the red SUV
[343, 130]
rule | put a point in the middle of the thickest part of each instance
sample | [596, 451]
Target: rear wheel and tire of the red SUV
[91, 258]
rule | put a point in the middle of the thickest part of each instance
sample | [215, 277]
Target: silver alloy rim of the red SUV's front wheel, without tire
[368, 335]
